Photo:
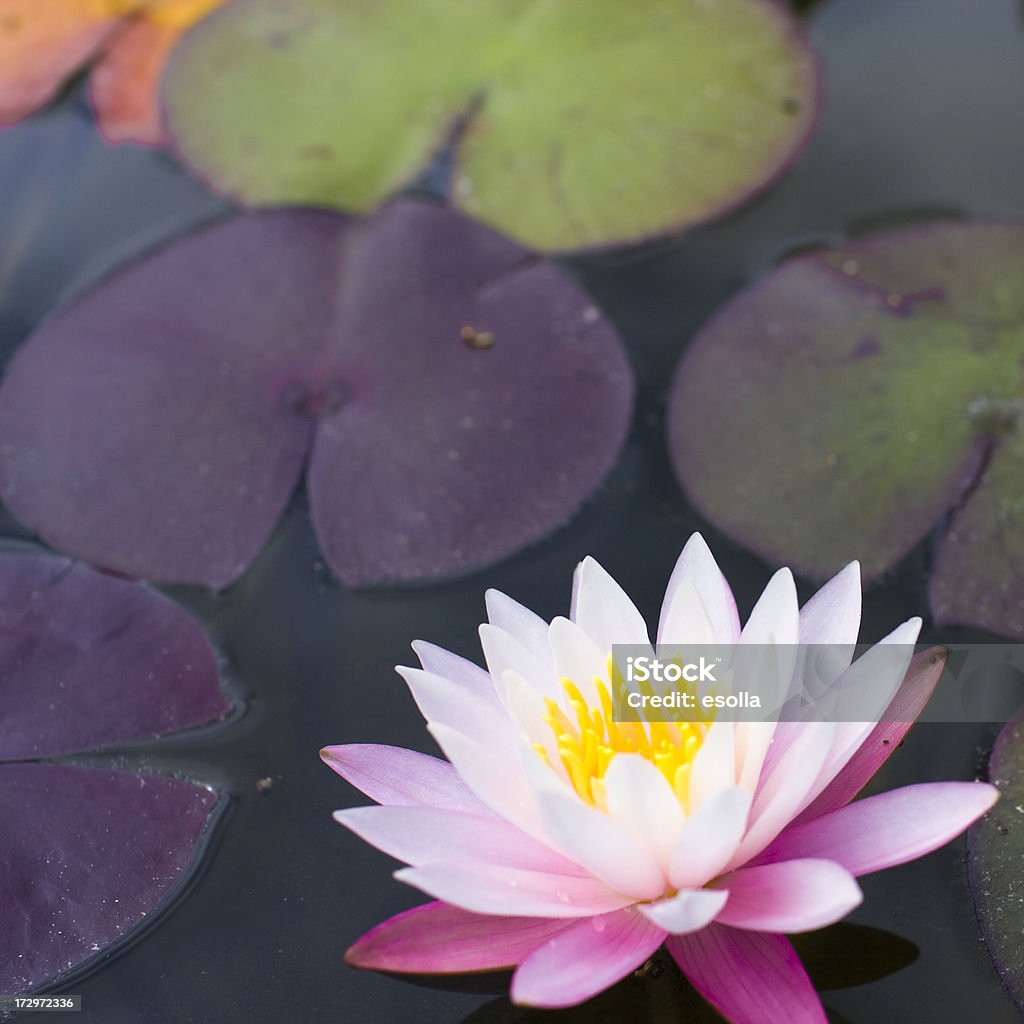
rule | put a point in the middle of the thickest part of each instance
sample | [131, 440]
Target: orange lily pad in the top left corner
[127, 42]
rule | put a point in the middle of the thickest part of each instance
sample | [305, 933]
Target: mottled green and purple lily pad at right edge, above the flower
[858, 398]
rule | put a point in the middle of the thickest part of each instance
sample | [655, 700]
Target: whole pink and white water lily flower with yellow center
[571, 847]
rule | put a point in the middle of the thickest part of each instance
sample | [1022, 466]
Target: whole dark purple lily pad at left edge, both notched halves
[91, 852]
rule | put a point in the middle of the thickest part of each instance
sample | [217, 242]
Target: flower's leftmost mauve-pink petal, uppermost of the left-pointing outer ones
[399, 778]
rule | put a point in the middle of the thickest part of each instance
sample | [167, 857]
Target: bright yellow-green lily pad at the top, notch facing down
[574, 124]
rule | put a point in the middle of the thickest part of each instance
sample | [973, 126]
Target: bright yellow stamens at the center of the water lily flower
[588, 739]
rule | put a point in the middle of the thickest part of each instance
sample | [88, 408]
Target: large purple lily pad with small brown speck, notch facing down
[457, 400]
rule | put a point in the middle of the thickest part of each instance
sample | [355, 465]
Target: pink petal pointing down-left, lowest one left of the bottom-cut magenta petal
[585, 960]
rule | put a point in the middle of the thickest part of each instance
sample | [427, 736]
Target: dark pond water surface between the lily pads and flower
[923, 114]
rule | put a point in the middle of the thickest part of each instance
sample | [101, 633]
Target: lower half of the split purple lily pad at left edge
[89, 856]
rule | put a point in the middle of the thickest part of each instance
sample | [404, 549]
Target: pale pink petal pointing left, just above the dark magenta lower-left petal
[494, 889]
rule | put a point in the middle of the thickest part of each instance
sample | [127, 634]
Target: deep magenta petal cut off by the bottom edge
[748, 977]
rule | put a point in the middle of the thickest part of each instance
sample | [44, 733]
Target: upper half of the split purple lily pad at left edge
[90, 662]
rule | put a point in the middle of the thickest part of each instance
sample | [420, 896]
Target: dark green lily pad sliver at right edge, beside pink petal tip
[997, 855]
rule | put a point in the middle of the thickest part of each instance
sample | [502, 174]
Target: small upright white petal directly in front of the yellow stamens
[639, 798]
